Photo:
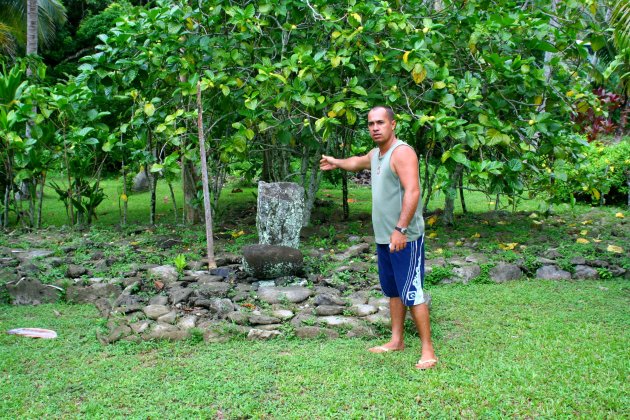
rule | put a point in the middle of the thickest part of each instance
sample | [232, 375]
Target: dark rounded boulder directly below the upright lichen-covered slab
[272, 261]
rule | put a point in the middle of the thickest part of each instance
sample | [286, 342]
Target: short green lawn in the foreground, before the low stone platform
[522, 349]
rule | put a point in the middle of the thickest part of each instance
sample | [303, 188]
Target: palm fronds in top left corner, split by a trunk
[13, 18]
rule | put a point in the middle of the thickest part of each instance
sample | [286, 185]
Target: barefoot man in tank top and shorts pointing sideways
[398, 228]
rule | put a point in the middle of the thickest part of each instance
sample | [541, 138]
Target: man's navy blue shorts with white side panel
[402, 273]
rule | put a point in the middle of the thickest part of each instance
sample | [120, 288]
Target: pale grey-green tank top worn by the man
[387, 196]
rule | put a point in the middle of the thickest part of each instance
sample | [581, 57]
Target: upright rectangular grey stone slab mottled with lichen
[280, 213]
